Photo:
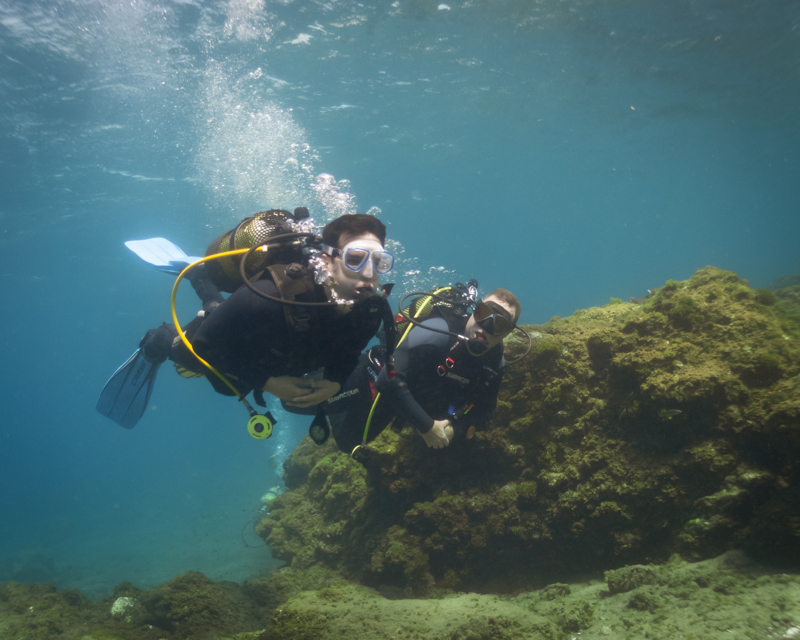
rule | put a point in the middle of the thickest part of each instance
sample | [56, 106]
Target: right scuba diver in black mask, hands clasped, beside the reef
[447, 371]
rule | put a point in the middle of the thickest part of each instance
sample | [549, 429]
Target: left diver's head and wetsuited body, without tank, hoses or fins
[248, 338]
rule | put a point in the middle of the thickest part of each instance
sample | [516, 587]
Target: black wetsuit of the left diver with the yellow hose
[247, 337]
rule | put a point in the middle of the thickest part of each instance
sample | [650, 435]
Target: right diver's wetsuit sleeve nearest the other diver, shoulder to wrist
[422, 346]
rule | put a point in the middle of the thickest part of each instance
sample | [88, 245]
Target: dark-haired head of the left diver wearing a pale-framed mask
[355, 257]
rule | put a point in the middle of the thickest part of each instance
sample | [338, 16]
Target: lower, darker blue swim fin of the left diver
[126, 394]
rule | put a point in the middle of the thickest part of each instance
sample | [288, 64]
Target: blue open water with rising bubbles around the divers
[567, 150]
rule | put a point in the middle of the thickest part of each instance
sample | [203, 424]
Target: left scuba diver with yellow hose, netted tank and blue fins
[299, 303]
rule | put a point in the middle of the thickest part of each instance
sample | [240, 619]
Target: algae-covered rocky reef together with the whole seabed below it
[640, 439]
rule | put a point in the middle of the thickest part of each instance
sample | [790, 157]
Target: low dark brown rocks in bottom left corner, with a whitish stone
[189, 606]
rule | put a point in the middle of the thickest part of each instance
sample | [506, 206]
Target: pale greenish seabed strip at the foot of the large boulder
[725, 597]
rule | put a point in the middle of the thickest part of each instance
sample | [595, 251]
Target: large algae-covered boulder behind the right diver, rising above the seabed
[629, 433]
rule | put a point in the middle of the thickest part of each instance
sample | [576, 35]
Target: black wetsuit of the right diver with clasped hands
[418, 393]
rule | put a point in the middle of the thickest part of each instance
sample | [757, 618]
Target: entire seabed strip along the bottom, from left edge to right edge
[728, 596]
